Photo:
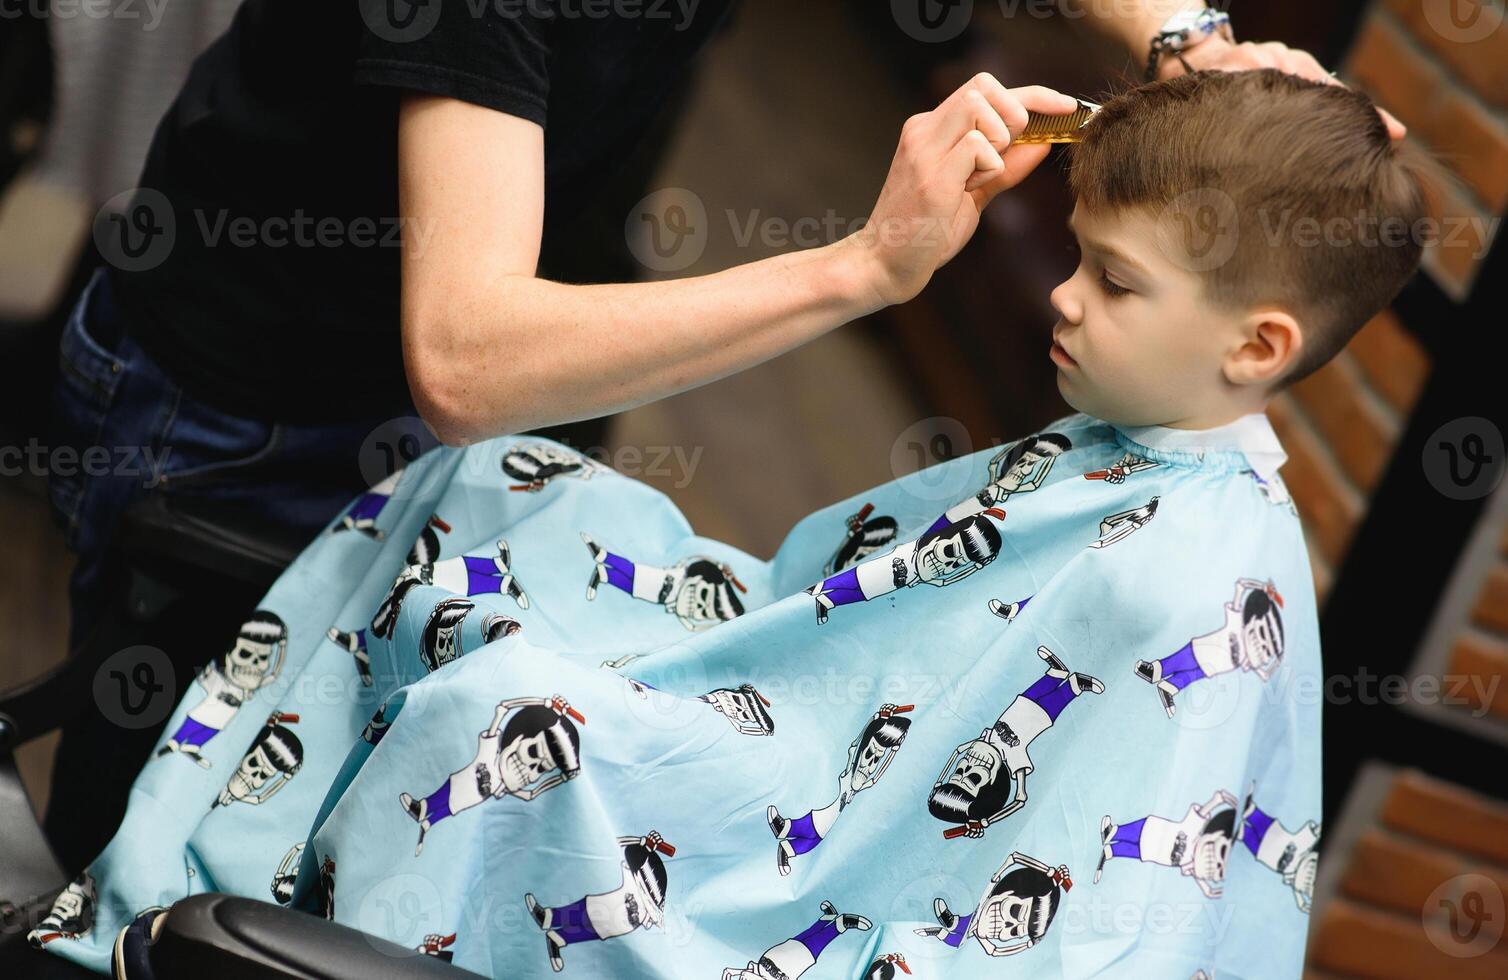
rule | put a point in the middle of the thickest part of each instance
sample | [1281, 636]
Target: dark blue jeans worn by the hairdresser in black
[135, 432]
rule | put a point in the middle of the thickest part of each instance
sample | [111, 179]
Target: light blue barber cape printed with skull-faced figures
[1055, 703]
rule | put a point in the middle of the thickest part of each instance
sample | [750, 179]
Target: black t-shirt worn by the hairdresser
[277, 292]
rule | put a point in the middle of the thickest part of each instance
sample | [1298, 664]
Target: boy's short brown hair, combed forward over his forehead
[1280, 191]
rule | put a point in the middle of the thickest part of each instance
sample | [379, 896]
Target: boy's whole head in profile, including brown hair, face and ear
[1236, 231]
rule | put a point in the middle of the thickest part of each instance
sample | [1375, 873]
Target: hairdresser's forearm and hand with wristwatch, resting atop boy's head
[1135, 25]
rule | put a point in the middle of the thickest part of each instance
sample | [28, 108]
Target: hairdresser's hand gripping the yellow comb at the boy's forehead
[949, 165]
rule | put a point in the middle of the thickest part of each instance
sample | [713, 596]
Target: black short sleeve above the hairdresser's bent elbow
[488, 54]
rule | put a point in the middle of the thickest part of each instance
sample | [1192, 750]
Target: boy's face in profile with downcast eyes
[1136, 341]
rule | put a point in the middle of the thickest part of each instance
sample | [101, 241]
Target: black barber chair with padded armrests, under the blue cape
[182, 571]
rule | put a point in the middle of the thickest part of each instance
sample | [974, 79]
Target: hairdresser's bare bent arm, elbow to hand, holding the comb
[489, 349]
